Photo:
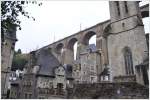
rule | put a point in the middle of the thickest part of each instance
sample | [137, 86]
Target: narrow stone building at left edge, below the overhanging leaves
[7, 55]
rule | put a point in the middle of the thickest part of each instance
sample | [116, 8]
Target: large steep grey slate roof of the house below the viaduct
[47, 62]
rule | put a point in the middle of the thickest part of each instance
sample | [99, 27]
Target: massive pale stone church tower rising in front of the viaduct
[126, 40]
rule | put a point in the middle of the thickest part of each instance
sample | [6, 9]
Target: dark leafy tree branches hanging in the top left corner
[10, 10]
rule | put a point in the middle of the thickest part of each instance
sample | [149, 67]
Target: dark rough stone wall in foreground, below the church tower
[117, 90]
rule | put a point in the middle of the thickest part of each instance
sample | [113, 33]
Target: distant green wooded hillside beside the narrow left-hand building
[19, 60]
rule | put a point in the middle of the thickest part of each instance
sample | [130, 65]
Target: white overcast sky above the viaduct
[55, 20]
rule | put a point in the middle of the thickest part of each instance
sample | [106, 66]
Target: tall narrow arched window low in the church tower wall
[128, 61]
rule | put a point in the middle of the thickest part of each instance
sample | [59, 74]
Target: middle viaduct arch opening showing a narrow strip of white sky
[72, 46]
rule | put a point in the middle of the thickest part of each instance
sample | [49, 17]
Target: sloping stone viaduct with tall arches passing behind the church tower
[63, 49]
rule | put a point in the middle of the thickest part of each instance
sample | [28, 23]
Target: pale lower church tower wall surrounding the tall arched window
[135, 40]
